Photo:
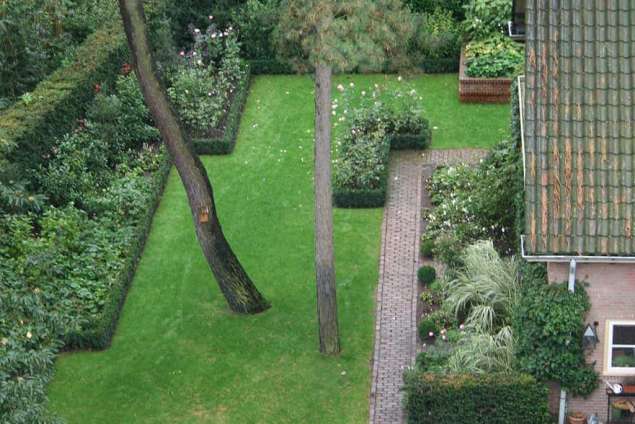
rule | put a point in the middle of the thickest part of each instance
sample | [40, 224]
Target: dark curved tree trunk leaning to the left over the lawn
[240, 292]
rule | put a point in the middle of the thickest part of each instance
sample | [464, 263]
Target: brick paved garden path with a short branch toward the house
[395, 319]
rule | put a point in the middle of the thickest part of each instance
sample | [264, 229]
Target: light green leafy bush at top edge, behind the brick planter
[486, 17]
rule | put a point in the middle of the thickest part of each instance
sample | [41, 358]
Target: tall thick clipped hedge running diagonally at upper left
[28, 129]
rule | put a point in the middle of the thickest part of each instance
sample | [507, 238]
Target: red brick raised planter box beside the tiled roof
[482, 90]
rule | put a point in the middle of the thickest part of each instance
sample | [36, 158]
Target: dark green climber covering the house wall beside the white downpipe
[548, 324]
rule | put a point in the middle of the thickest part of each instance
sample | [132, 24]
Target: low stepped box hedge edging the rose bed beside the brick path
[344, 197]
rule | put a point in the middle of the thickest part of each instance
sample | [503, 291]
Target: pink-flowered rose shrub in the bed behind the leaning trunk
[206, 78]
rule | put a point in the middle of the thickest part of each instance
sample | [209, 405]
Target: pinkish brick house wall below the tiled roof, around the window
[612, 293]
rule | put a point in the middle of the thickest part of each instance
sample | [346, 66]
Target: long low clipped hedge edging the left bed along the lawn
[98, 333]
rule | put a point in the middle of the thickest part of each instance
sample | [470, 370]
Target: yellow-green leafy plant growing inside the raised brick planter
[494, 57]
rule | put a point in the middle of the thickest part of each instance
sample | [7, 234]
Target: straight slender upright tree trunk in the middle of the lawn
[325, 269]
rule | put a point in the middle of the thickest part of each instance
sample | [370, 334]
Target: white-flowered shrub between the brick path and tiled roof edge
[476, 203]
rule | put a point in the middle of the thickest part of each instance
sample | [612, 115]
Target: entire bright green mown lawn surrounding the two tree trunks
[180, 356]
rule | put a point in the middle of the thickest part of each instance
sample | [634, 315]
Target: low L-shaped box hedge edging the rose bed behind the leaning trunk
[225, 144]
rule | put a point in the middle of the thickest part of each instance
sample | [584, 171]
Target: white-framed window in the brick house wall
[621, 347]
